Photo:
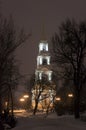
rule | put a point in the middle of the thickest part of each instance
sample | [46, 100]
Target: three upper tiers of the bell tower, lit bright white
[43, 62]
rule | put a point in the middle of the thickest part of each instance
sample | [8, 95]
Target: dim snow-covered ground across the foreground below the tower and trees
[52, 122]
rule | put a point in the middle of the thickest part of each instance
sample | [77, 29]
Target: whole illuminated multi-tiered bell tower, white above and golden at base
[44, 89]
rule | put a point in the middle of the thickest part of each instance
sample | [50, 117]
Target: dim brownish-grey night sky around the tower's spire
[30, 14]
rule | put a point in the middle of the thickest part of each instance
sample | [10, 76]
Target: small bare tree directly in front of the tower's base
[42, 88]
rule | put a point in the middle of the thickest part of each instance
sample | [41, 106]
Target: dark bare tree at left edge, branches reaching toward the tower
[10, 39]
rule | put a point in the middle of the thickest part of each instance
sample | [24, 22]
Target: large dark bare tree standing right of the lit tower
[69, 52]
